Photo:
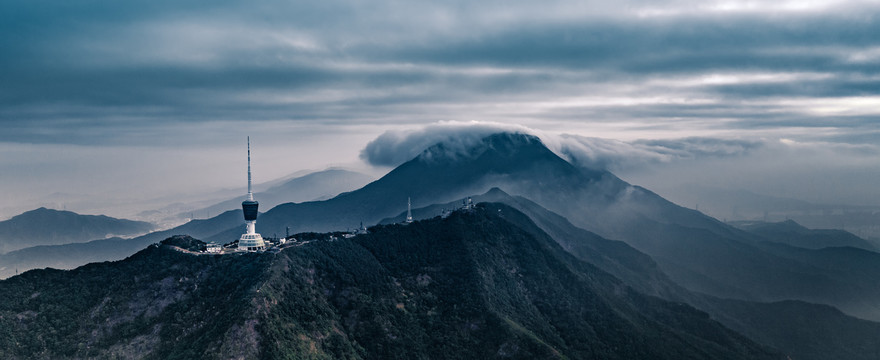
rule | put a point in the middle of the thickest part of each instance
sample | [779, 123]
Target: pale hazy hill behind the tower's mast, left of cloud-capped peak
[319, 185]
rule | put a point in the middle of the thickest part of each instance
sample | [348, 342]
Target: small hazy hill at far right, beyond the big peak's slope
[791, 233]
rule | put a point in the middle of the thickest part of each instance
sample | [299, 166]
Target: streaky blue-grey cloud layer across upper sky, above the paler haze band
[86, 70]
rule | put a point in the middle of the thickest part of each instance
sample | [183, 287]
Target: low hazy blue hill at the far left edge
[52, 227]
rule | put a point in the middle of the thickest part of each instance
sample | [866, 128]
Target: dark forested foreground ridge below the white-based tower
[473, 285]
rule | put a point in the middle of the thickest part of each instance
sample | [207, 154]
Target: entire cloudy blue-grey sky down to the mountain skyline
[119, 102]
